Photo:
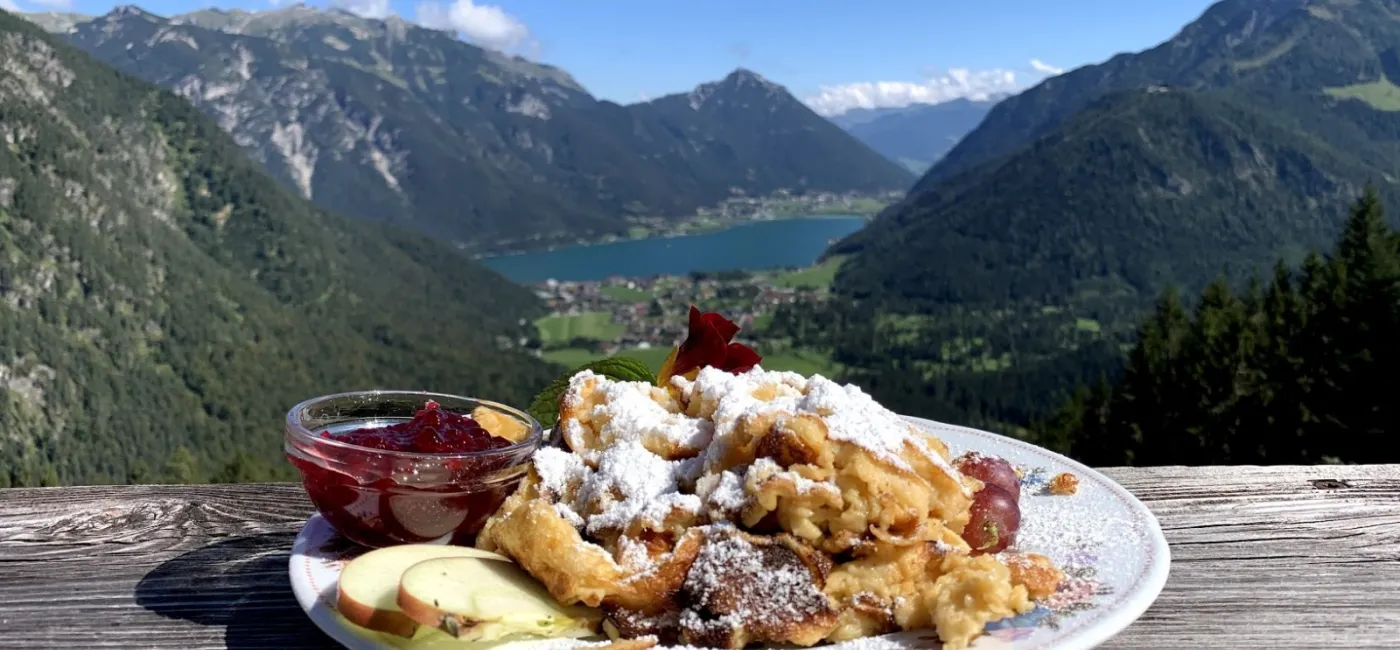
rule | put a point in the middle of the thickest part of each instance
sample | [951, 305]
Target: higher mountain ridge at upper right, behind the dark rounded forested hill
[1345, 48]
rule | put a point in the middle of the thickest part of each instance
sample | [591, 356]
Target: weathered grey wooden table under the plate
[1263, 558]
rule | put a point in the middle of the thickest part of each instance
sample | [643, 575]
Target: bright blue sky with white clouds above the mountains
[835, 55]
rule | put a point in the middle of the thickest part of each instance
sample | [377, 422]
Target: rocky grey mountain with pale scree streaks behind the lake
[384, 120]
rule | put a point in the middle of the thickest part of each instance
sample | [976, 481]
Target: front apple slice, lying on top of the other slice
[479, 600]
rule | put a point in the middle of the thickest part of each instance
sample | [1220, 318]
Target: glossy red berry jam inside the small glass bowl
[380, 499]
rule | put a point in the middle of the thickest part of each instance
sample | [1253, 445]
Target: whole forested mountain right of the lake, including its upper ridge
[1171, 181]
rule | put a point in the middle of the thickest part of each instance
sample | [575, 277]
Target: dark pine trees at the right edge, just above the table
[1297, 371]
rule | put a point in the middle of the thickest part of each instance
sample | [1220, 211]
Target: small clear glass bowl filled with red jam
[383, 498]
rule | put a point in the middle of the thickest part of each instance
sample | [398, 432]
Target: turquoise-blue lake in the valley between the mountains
[754, 246]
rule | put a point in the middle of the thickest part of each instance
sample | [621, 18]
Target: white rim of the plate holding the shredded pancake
[1088, 632]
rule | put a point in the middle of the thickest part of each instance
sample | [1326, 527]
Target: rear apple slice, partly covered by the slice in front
[369, 588]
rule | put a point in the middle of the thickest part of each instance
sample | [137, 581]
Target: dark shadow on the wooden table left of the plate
[237, 583]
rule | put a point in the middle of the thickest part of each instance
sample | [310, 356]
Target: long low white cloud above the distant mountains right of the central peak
[955, 83]
